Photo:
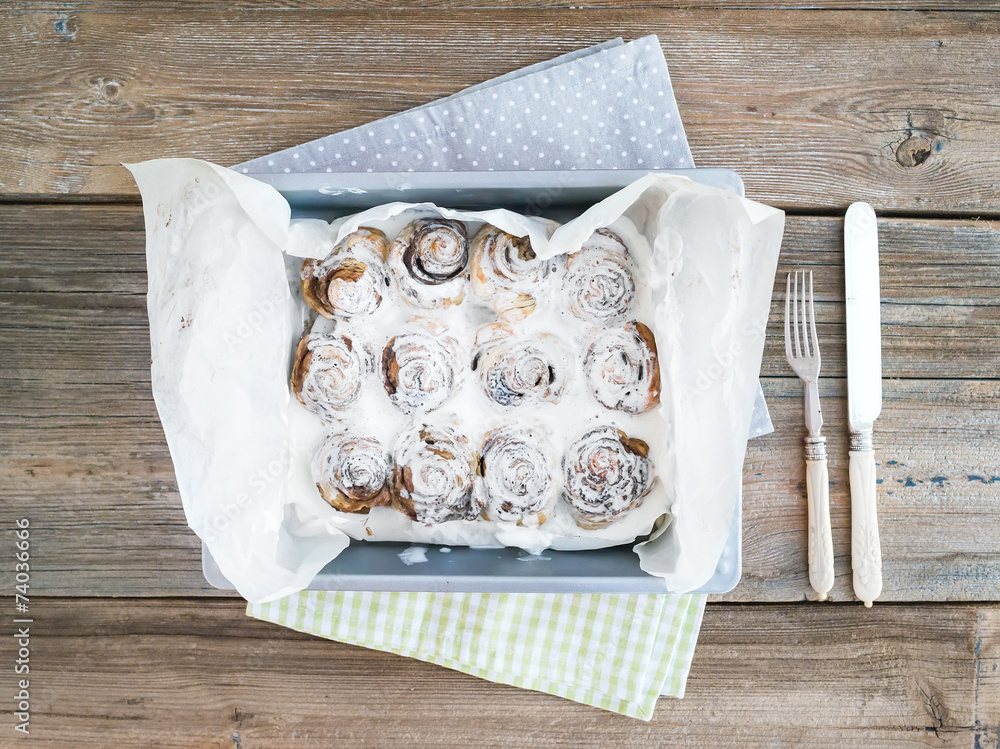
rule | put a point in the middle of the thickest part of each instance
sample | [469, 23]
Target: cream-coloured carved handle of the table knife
[866, 553]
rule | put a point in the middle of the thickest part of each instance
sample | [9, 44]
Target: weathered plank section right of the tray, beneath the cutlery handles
[938, 451]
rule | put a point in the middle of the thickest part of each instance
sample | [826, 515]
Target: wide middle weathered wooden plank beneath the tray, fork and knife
[82, 452]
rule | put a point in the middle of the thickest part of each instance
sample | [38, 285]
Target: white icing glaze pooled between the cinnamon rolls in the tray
[472, 414]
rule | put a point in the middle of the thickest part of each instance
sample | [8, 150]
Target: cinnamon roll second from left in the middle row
[420, 368]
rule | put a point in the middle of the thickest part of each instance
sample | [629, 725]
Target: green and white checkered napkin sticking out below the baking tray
[616, 652]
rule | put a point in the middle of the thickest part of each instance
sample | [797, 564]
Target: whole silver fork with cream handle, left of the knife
[802, 352]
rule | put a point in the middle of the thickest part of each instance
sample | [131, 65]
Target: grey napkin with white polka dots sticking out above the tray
[547, 119]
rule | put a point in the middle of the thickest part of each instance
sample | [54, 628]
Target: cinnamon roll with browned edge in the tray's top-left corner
[352, 280]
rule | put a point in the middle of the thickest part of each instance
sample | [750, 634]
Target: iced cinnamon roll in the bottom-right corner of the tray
[606, 474]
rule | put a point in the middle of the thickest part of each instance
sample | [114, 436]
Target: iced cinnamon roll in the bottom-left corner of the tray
[352, 472]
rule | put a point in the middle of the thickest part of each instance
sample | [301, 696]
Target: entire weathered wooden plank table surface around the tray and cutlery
[896, 103]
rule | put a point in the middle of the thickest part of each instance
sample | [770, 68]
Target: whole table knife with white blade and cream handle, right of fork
[864, 393]
